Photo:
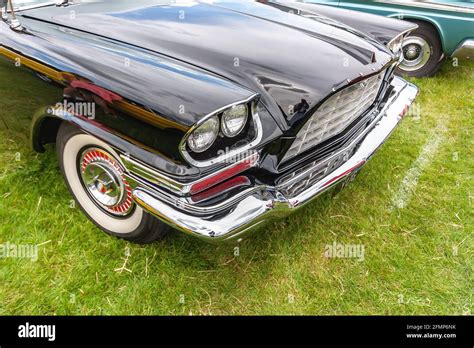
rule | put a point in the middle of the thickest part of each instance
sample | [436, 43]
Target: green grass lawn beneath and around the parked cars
[411, 208]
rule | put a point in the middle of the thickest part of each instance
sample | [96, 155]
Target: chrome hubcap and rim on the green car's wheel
[416, 53]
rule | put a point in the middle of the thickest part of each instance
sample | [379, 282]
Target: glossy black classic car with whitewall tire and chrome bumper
[211, 117]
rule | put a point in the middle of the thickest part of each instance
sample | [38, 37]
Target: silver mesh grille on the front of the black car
[336, 114]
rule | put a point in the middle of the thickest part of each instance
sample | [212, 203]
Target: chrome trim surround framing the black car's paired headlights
[231, 154]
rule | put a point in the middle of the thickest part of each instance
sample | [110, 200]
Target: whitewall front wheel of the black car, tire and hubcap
[96, 179]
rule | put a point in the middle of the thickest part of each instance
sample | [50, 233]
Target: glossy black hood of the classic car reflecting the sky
[291, 61]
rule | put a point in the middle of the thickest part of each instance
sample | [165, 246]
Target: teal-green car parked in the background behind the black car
[446, 29]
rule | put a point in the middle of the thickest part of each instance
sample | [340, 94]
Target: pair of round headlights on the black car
[231, 123]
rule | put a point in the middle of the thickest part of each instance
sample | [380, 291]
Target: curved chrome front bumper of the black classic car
[231, 219]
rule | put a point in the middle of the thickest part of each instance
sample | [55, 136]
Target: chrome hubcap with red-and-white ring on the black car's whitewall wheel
[104, 181]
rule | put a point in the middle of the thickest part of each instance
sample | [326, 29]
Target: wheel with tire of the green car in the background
[422, 52]
